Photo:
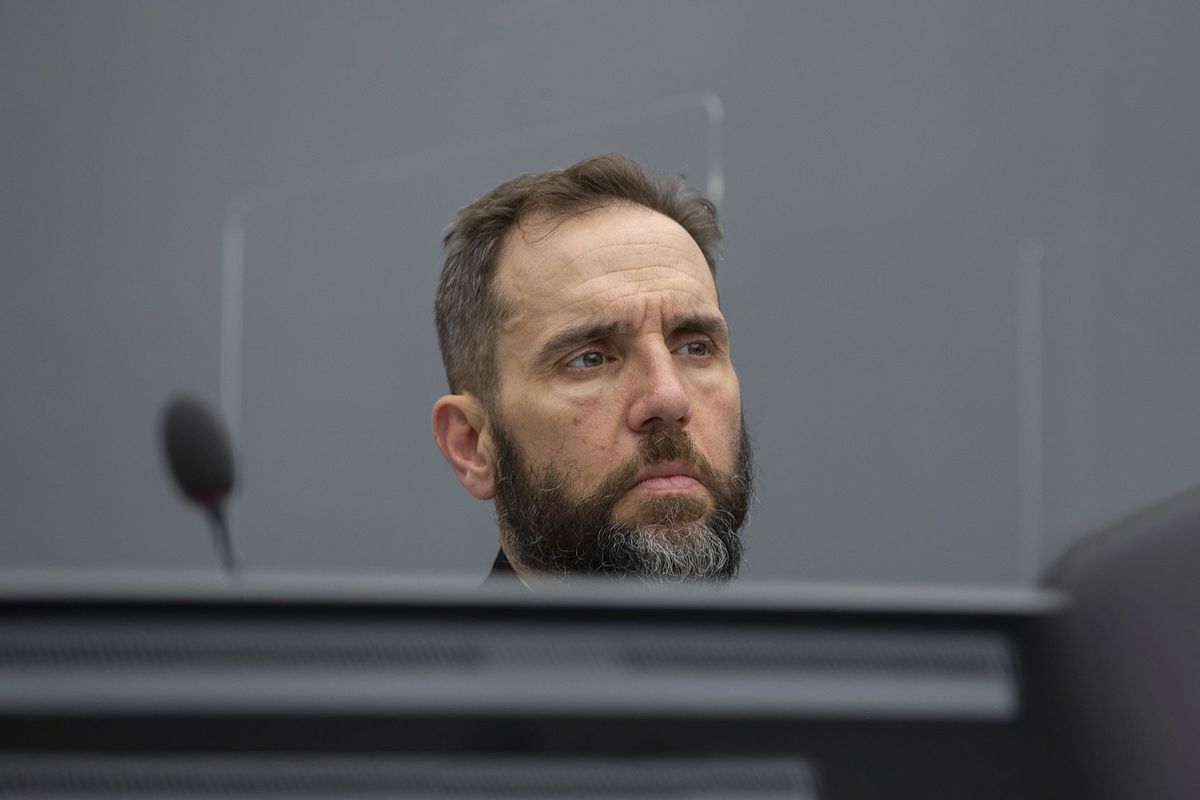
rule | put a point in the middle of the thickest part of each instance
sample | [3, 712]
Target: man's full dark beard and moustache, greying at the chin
[544, 530]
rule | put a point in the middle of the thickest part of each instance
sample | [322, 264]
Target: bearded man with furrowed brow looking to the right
[593, 396]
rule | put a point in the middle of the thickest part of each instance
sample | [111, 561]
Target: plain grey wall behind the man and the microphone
[962, 245]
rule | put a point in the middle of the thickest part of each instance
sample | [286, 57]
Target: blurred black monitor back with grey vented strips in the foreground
[365, 689]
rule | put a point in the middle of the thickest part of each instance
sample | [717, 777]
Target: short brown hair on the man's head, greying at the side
[469, 309]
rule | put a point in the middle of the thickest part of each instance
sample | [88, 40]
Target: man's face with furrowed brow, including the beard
[617, 436]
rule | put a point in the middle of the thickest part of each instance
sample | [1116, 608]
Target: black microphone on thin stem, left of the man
[201, 460]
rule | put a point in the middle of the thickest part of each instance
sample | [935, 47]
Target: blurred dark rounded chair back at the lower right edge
[1130, 652]
